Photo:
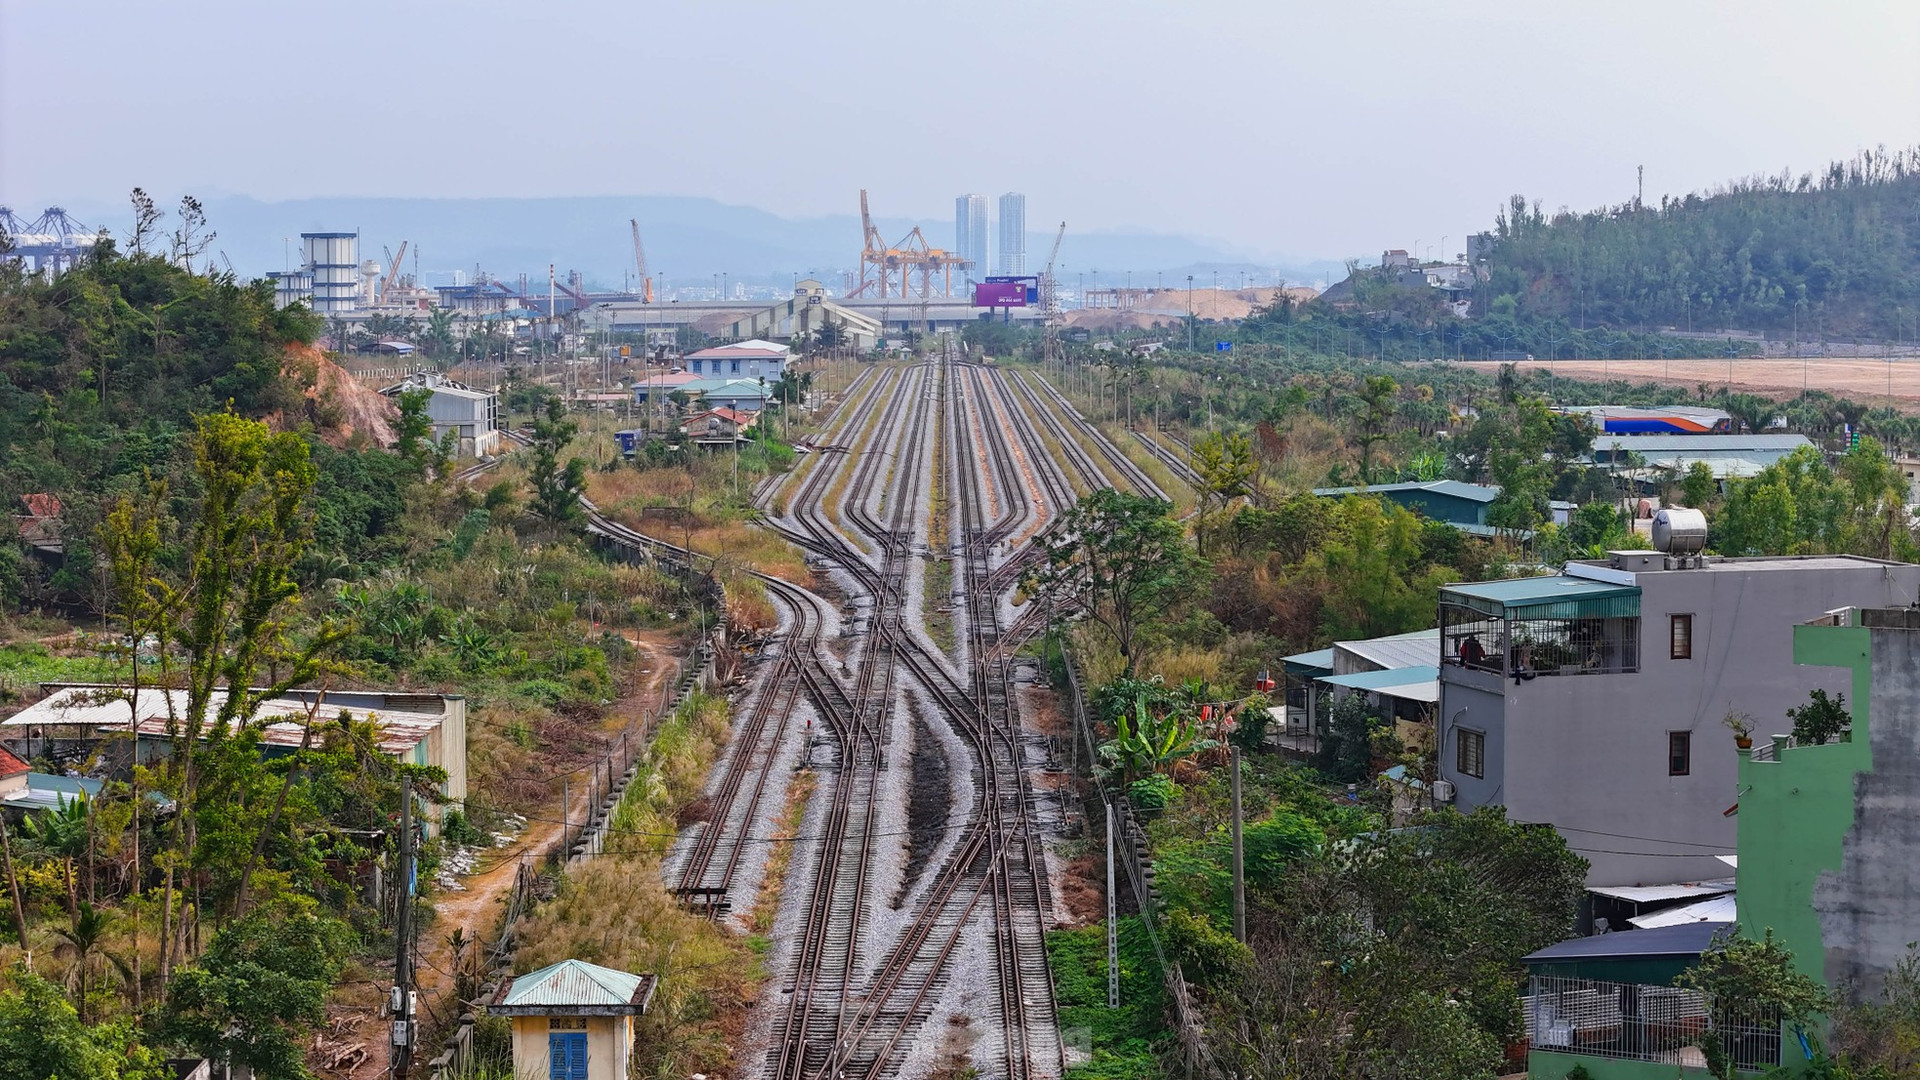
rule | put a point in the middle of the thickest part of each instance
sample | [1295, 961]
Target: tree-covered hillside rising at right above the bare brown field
[1835, 253]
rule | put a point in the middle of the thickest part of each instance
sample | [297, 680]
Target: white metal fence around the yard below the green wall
[1644, 1023]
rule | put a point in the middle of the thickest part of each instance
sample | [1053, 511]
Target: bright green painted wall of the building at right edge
[1796, 812]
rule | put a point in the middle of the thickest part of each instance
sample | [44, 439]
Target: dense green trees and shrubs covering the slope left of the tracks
[220, 528]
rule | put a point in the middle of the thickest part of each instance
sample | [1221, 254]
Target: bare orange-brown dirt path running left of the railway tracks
[477, 906]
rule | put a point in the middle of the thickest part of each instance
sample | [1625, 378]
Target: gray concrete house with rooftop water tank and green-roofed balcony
[1595, 700]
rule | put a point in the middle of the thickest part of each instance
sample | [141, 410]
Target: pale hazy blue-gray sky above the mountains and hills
[1285, 130]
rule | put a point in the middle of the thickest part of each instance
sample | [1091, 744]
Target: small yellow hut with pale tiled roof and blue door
[573, 1021]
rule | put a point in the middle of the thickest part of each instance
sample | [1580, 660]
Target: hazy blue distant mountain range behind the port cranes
[688, 239]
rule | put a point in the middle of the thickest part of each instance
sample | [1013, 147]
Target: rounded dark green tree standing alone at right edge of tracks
[1124, 560]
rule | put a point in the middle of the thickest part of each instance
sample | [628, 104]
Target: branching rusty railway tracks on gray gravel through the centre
[857, 998]
